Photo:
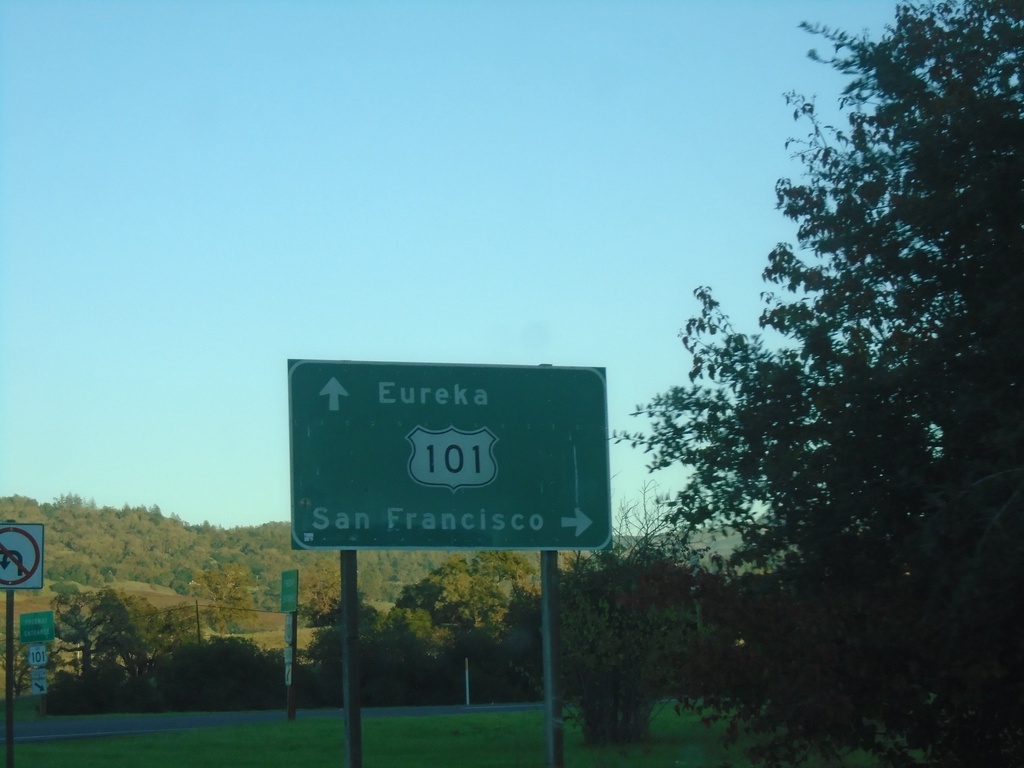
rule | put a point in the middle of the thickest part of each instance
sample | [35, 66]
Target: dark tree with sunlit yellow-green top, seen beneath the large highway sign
[483, 613]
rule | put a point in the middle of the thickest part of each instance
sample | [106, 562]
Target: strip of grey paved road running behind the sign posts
[58, 729]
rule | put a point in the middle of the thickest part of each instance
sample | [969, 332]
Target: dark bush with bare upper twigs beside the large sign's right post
[627, 614]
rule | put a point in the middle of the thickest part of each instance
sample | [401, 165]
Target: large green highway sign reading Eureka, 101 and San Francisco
[405, 456]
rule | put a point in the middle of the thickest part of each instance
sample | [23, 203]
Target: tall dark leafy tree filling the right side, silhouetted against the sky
[874, 461]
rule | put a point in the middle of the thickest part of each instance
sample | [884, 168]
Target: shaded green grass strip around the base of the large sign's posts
[506, 740]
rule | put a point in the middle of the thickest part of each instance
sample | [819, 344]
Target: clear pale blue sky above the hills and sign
[193, 193]
